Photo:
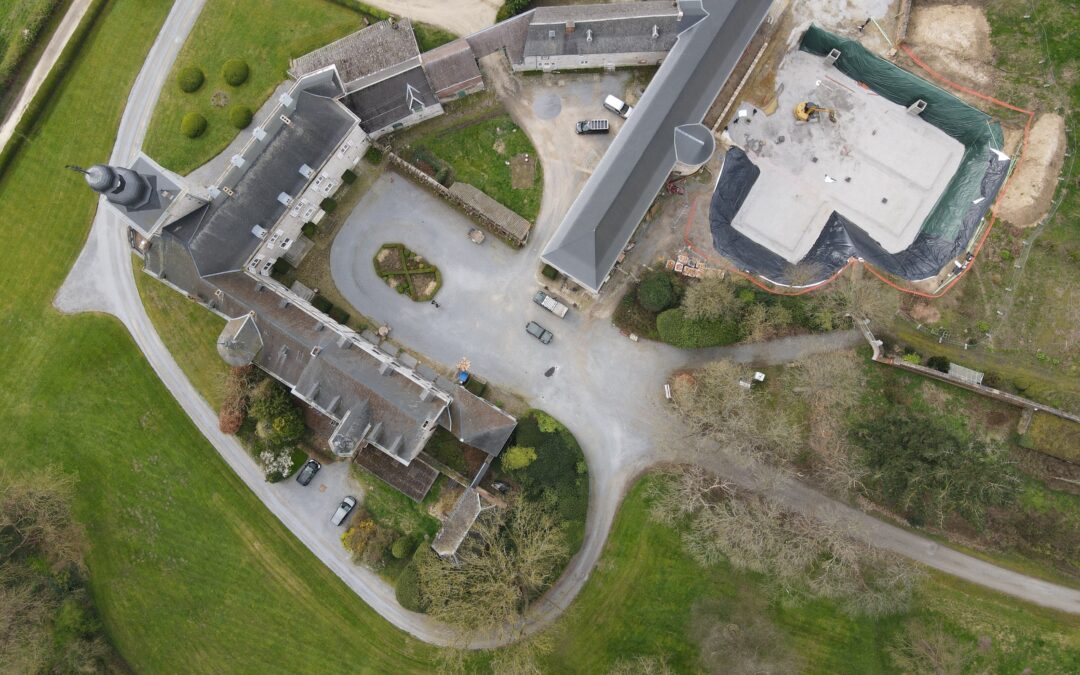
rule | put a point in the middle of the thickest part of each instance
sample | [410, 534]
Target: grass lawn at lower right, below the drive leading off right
[647, 599]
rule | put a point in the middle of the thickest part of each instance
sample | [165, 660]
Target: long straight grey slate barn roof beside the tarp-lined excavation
[620, 191]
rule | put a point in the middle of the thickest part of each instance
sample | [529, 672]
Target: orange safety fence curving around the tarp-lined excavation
[979, 246]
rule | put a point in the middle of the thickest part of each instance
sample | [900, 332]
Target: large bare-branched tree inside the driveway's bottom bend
[510, 557]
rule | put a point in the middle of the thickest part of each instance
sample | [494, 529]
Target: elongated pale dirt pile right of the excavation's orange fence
[1031, 192]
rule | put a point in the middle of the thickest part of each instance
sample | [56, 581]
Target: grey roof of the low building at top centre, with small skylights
[619, 29]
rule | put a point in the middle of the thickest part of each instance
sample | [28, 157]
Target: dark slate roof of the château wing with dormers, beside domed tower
[220, 237]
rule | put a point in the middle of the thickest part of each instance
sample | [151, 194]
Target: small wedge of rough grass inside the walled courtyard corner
[478, 155]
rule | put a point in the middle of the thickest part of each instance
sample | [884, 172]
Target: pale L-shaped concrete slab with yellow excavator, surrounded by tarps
[877, 166]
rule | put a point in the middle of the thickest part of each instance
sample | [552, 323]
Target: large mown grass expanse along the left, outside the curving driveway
[191, 571]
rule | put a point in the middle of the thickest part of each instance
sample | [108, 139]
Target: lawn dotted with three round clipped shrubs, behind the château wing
[266, 34]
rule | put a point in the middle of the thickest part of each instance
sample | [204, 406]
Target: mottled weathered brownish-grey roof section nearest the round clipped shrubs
[363, 53]
